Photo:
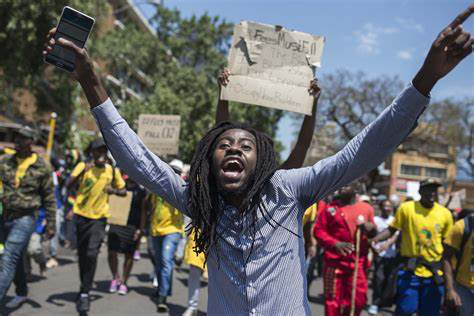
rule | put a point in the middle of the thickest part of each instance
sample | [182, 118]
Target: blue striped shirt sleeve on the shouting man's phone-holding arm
[137, 160]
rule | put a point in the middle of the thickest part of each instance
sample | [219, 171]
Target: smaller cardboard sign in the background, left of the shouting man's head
[160, 133]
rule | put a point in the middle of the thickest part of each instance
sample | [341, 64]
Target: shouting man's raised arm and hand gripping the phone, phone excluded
[126, 147]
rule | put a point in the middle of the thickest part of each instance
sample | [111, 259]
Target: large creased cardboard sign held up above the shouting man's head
[272, 67]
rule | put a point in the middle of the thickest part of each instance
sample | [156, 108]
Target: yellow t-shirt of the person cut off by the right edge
[464, 276]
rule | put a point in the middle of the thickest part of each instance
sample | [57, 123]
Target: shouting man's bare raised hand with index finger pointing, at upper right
[451, 46]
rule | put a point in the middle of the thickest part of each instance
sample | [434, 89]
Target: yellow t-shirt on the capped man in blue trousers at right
[423, 231]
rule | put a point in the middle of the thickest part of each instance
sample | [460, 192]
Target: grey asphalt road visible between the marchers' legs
[56, 294]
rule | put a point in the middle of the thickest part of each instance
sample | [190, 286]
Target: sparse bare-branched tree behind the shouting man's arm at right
[350, 101]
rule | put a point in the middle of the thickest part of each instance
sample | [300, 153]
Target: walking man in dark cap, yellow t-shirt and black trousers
[97, 180]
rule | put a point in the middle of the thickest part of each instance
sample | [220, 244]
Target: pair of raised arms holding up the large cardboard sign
[298, 154]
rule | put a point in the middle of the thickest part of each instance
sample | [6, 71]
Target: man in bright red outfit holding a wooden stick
[336, 230]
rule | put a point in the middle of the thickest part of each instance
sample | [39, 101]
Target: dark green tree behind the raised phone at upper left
[23, 29]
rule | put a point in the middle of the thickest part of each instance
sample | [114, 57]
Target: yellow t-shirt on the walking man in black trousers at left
[92, 201]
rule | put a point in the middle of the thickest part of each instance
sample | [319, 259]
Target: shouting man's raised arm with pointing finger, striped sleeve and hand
[379, 139]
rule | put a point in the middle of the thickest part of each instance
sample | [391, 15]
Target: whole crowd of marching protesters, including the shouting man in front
[259, 230]
